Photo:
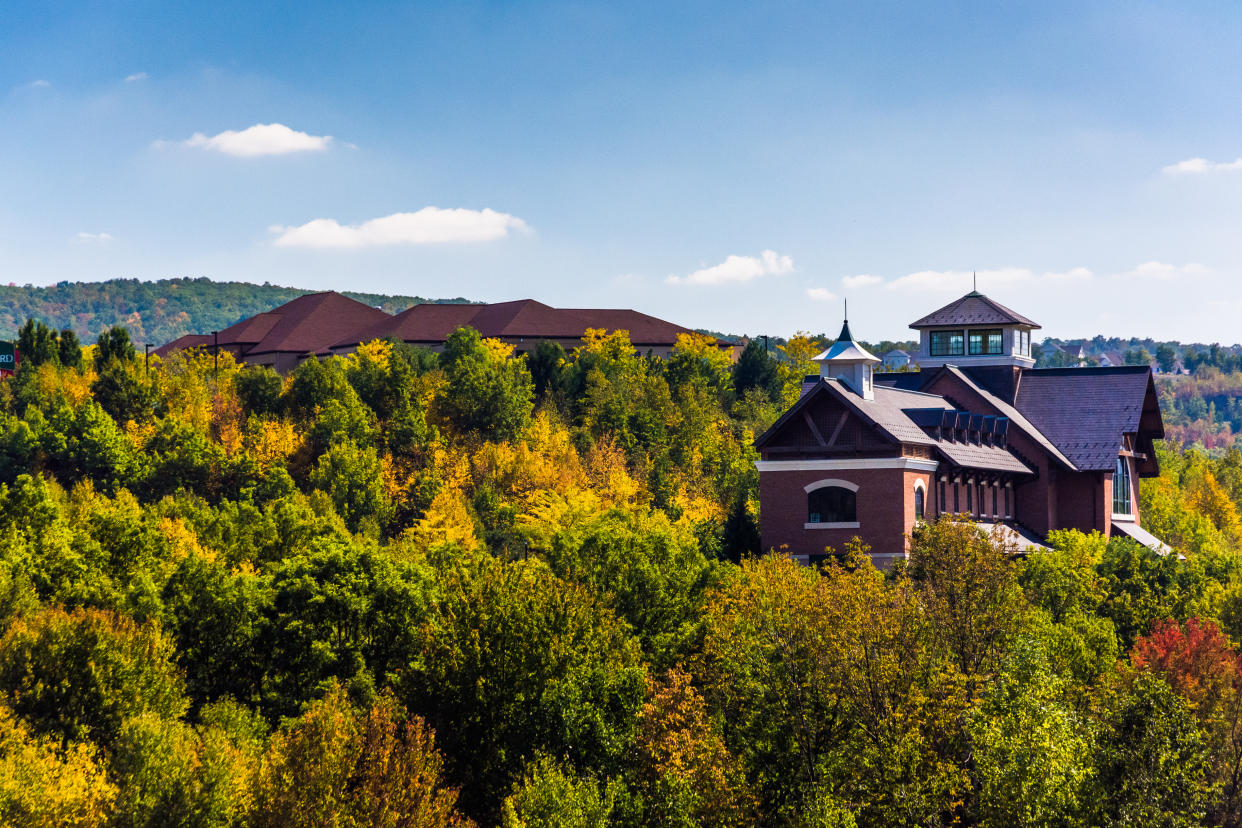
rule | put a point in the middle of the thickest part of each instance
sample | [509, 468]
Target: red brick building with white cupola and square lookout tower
[976, 431]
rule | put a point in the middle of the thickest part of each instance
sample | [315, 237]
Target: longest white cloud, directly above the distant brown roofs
[428, 227]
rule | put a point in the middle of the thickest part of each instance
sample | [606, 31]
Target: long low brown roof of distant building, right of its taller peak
[520, 320]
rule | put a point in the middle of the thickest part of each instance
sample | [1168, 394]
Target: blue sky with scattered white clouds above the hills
[736, 167]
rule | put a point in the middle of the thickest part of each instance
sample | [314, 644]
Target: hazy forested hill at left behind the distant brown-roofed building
[157, 312]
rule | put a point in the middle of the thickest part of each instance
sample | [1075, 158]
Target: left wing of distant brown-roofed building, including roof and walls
[286, 336]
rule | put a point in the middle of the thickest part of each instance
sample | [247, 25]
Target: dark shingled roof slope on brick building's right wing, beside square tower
[1086, 412]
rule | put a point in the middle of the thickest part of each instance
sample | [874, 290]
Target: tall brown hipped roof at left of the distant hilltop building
[309, 325]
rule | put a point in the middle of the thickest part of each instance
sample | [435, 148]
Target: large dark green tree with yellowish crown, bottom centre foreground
[517, 664]
